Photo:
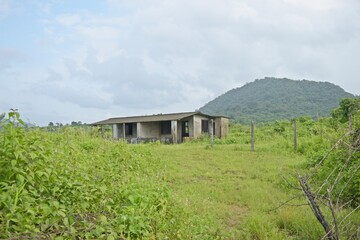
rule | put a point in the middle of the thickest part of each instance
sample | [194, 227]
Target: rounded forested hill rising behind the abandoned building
[272, 99]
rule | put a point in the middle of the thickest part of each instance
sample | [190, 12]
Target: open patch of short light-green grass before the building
[229, 192]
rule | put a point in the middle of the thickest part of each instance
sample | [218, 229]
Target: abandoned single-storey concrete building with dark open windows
[167, 128]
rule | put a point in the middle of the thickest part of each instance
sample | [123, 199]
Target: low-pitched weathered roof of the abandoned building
[151, 118]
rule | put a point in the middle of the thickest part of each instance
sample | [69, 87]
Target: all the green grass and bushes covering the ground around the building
[73, 183]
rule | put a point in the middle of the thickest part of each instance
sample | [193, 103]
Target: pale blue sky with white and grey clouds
[88, 60]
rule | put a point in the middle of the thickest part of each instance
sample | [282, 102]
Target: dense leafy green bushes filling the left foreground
[73, 184]
